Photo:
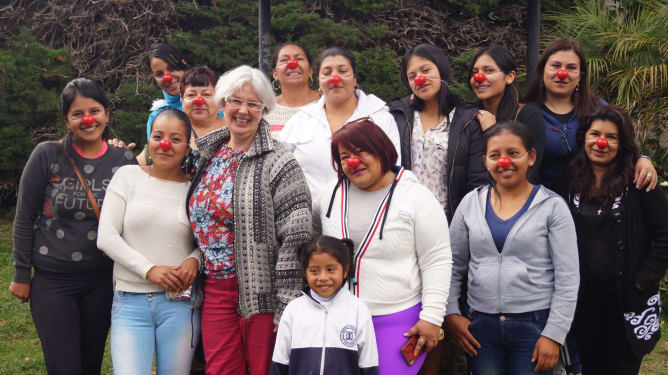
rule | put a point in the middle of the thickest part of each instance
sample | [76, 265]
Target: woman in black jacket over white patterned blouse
[441, 140]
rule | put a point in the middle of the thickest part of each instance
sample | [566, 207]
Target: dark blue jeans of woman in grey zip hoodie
[507, 342]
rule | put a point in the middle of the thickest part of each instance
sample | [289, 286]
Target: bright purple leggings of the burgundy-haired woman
[390, 338]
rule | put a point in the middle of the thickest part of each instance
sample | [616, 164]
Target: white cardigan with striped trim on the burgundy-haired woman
[411, 263]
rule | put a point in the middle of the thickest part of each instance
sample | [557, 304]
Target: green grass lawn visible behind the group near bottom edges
[21, 353]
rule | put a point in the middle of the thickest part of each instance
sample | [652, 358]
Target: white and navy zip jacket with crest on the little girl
[314, 339]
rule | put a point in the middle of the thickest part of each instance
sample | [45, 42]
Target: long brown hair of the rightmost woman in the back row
[584, 100]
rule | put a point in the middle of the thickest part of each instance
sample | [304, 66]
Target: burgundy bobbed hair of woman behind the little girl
[363, 135]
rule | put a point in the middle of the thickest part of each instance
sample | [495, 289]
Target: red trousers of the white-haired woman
[234, 345]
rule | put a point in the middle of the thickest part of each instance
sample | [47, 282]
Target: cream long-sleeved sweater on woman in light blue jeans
[144, 224]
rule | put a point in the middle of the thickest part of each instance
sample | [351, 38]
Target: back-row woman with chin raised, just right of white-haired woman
[292, 75]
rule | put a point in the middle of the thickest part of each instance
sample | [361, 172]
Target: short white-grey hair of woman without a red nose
[234, 79]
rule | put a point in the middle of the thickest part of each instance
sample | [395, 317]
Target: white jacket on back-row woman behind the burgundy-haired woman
[309, 136]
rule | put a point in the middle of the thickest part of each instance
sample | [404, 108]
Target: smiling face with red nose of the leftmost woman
[86, 133]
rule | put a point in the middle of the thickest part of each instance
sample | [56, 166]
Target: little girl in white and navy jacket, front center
[327, 330]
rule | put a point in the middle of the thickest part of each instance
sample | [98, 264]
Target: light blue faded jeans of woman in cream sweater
[144, 324]
